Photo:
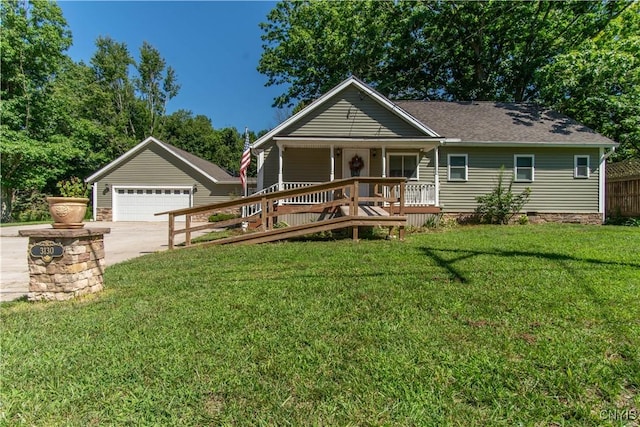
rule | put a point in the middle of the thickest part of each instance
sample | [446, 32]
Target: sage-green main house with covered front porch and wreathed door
[450, 152]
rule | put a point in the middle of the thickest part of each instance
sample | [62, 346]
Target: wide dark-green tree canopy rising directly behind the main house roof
[487, 50]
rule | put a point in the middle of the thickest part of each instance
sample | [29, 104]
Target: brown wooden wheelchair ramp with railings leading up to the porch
[352, 211]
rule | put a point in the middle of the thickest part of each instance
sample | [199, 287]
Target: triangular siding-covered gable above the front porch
[347, 115]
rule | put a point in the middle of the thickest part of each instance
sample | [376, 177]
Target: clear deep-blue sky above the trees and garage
[214, 46]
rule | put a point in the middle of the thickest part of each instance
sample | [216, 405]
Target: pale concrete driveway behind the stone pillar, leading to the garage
[127, 240]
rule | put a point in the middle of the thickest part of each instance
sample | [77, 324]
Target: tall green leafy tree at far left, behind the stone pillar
[34, 38]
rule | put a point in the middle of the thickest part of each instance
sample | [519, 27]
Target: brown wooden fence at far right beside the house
[623, 188]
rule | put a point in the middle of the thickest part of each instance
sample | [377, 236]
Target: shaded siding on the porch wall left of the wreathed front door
[306, 165]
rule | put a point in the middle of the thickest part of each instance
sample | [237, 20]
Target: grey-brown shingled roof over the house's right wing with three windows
[493, 122]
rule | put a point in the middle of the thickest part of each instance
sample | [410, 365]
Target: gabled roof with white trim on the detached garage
[211, 171]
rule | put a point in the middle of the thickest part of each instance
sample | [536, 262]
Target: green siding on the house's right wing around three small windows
[554, 188]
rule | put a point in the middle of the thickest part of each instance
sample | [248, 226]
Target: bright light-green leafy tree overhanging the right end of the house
[598, 82]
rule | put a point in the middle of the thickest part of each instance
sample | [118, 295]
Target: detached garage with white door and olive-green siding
[156, 177]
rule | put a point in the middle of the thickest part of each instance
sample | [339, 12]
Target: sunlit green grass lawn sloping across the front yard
[521, 325]
